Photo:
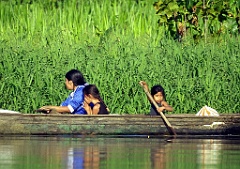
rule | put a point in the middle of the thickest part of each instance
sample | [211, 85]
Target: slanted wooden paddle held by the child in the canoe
[165, 120]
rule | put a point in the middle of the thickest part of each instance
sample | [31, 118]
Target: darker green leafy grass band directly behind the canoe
[193, 76]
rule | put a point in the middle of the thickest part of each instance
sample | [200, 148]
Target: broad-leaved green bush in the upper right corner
[181, 17]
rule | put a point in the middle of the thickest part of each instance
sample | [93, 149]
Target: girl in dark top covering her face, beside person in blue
[93, 101]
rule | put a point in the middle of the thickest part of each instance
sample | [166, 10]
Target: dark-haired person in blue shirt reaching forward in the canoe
[74, 103]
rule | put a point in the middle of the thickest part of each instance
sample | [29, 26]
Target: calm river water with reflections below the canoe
[122, 152]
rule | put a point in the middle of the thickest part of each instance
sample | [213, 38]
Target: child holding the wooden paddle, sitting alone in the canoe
[158, 95]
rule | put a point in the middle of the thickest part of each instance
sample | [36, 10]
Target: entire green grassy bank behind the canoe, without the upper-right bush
[36, 52]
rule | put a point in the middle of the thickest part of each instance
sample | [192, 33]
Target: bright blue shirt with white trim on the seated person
[75, 101]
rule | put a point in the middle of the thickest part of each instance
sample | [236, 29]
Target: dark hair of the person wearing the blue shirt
[76, 77]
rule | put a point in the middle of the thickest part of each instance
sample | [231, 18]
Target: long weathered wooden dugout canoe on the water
[54, 124]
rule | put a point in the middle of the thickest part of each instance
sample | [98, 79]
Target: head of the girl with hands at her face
[91, 92]
